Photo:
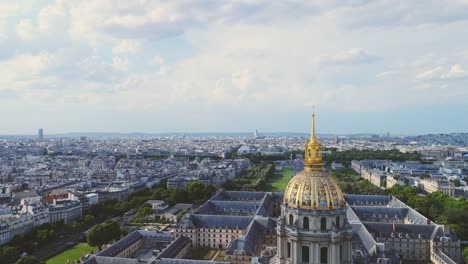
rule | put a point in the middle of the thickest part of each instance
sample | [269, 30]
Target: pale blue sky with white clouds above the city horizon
[232, 66]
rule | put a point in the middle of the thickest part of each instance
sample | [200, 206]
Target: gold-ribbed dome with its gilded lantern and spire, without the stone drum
[313, 188]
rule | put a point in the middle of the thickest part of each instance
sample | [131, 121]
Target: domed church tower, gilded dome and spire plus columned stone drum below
[313, 226]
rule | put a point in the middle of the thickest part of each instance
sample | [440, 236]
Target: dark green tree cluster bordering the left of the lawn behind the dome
[254, 178]
